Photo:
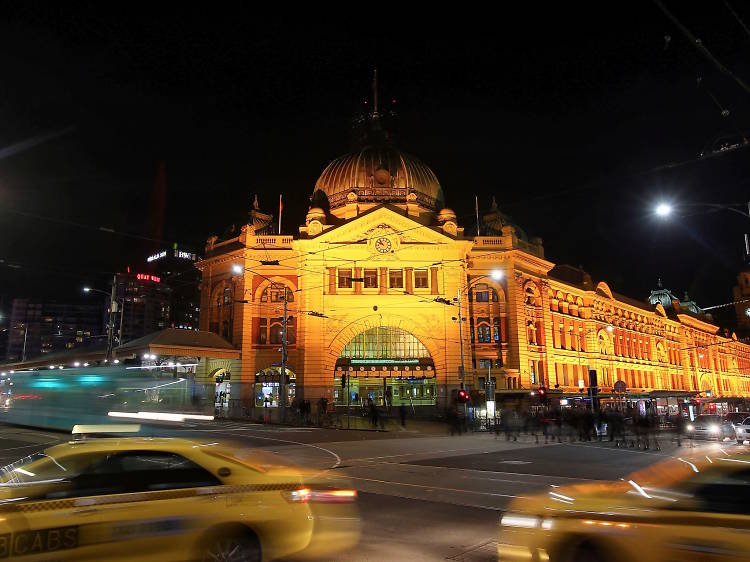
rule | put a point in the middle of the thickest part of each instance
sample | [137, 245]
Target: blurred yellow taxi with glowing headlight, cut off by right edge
[683, 509]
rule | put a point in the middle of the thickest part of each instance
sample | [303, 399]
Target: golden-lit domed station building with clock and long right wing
[384, 284]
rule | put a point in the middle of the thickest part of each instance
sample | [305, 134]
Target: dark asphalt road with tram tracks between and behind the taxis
[422, 497]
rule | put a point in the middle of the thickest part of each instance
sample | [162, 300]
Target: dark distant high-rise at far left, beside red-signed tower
[36, 327]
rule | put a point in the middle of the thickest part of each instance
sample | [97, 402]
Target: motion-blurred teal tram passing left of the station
[62, 398]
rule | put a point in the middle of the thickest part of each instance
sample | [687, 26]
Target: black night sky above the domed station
[161, 123]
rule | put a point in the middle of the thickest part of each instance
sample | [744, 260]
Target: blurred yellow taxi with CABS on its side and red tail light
[166, 499]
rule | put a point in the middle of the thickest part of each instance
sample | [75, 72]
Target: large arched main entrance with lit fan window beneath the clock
[387, 365]
